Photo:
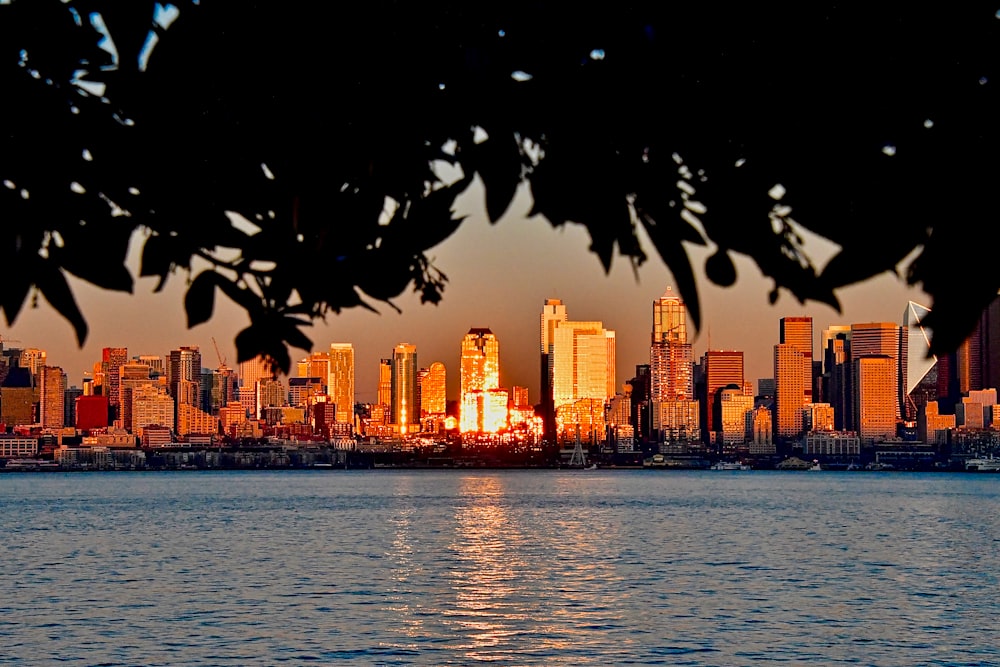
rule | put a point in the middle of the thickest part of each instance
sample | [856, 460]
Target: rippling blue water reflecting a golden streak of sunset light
[512, 567]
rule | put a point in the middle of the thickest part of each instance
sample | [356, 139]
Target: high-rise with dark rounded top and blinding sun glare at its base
[479, 378]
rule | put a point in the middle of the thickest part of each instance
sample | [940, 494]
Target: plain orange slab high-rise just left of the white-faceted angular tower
[875, 396]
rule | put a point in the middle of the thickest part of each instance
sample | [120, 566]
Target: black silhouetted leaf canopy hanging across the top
[321, 124]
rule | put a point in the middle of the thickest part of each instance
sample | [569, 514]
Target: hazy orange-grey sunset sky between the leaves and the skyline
[499, 277]
